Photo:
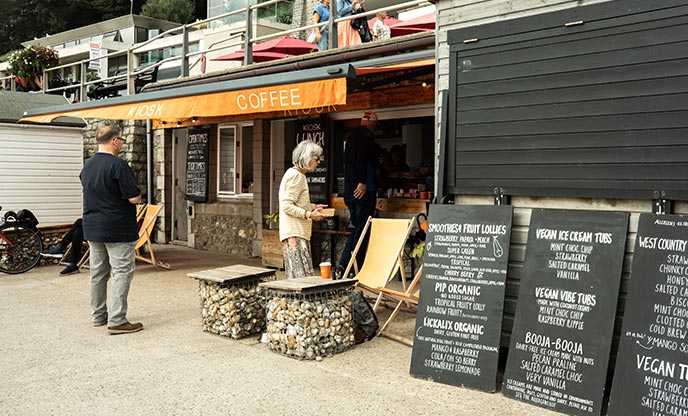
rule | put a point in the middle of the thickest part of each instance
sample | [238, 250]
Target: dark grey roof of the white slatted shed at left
[13, 104]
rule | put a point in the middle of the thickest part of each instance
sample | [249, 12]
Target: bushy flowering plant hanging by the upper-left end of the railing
[27, 65]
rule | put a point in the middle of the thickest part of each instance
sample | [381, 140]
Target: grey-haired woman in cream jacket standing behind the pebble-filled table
[297, 212]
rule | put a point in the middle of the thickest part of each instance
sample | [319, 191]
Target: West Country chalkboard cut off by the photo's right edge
[651, 373]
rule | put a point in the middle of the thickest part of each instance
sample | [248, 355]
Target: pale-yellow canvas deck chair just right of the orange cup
[384, 256]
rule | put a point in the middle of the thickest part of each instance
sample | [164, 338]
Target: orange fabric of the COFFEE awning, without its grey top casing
[297, 96]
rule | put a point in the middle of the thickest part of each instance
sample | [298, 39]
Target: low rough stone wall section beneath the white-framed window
[225, 227]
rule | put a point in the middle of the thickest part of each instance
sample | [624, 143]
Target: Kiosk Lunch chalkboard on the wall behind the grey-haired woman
[317, 131]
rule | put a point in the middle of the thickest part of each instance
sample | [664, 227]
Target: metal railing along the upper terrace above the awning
[133, 69]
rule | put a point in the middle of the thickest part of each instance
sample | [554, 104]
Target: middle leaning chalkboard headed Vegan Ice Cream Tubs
[562, 333]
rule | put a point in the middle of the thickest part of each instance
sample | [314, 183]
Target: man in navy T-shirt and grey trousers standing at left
[109, 222]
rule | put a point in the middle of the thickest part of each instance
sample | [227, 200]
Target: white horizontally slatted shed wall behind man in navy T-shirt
[39, 171]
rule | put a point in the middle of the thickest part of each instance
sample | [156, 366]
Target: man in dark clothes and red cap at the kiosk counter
[360, 156]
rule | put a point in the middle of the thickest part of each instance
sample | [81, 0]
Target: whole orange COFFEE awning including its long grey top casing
[295, 90]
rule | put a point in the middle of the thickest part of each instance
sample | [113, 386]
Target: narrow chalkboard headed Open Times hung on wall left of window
[197, 165]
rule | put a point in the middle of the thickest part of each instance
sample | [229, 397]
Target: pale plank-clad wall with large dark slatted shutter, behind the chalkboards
[591, 117]
